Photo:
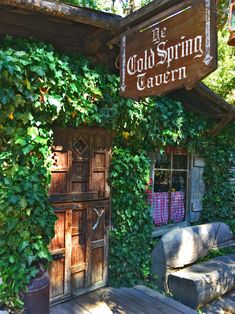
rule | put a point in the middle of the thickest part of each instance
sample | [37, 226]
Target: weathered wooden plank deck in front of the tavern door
[136, 300]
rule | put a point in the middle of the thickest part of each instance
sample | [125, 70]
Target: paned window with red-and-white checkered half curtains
[170, 174]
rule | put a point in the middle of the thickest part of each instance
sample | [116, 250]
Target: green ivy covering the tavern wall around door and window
[41, 88]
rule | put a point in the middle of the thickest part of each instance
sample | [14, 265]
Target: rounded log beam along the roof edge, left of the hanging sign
[81, 15]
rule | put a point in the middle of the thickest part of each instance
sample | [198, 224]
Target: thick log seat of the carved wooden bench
[197, 285]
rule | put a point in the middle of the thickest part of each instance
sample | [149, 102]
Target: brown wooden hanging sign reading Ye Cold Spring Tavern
[175, 49]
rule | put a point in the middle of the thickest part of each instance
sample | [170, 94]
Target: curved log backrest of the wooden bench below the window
[183, 246]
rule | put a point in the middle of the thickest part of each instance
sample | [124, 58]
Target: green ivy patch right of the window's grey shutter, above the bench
[219, 197]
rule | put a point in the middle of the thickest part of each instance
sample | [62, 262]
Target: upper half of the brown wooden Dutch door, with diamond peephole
[80, 163]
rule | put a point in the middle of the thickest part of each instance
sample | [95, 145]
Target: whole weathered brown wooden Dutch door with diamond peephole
[80, 194]
